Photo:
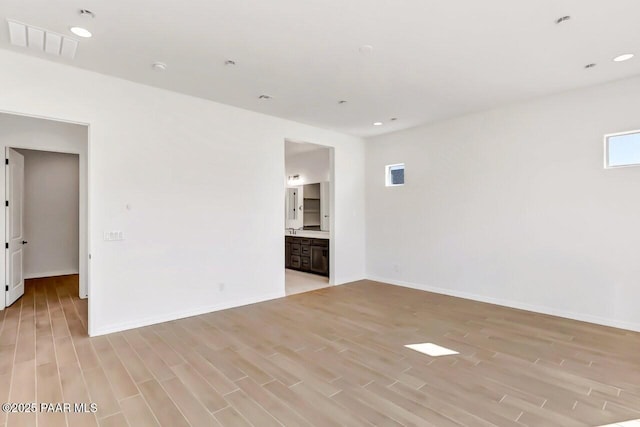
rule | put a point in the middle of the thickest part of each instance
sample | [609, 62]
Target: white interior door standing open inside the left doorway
[14, 226]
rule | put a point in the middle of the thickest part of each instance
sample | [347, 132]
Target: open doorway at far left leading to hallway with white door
[46, 211]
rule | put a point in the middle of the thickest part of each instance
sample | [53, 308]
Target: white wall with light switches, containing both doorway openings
[203, 183]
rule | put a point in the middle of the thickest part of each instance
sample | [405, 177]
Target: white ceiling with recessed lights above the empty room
[432, 59]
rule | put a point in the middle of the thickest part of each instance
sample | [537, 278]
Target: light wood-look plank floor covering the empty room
[329, 357]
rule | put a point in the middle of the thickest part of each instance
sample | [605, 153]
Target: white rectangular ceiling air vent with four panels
[42, 40]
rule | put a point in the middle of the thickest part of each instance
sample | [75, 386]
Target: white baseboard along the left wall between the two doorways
[138, 323]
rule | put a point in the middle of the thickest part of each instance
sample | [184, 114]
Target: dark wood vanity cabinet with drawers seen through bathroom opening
[306, 254]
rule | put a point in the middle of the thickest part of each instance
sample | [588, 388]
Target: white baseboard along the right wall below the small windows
[621, 324]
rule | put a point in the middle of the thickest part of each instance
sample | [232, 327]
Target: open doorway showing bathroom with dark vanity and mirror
[308, 216]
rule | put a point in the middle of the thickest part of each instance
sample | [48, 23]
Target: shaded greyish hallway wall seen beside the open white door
[51, 213]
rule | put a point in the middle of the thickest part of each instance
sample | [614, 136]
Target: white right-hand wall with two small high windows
[513, 206]
